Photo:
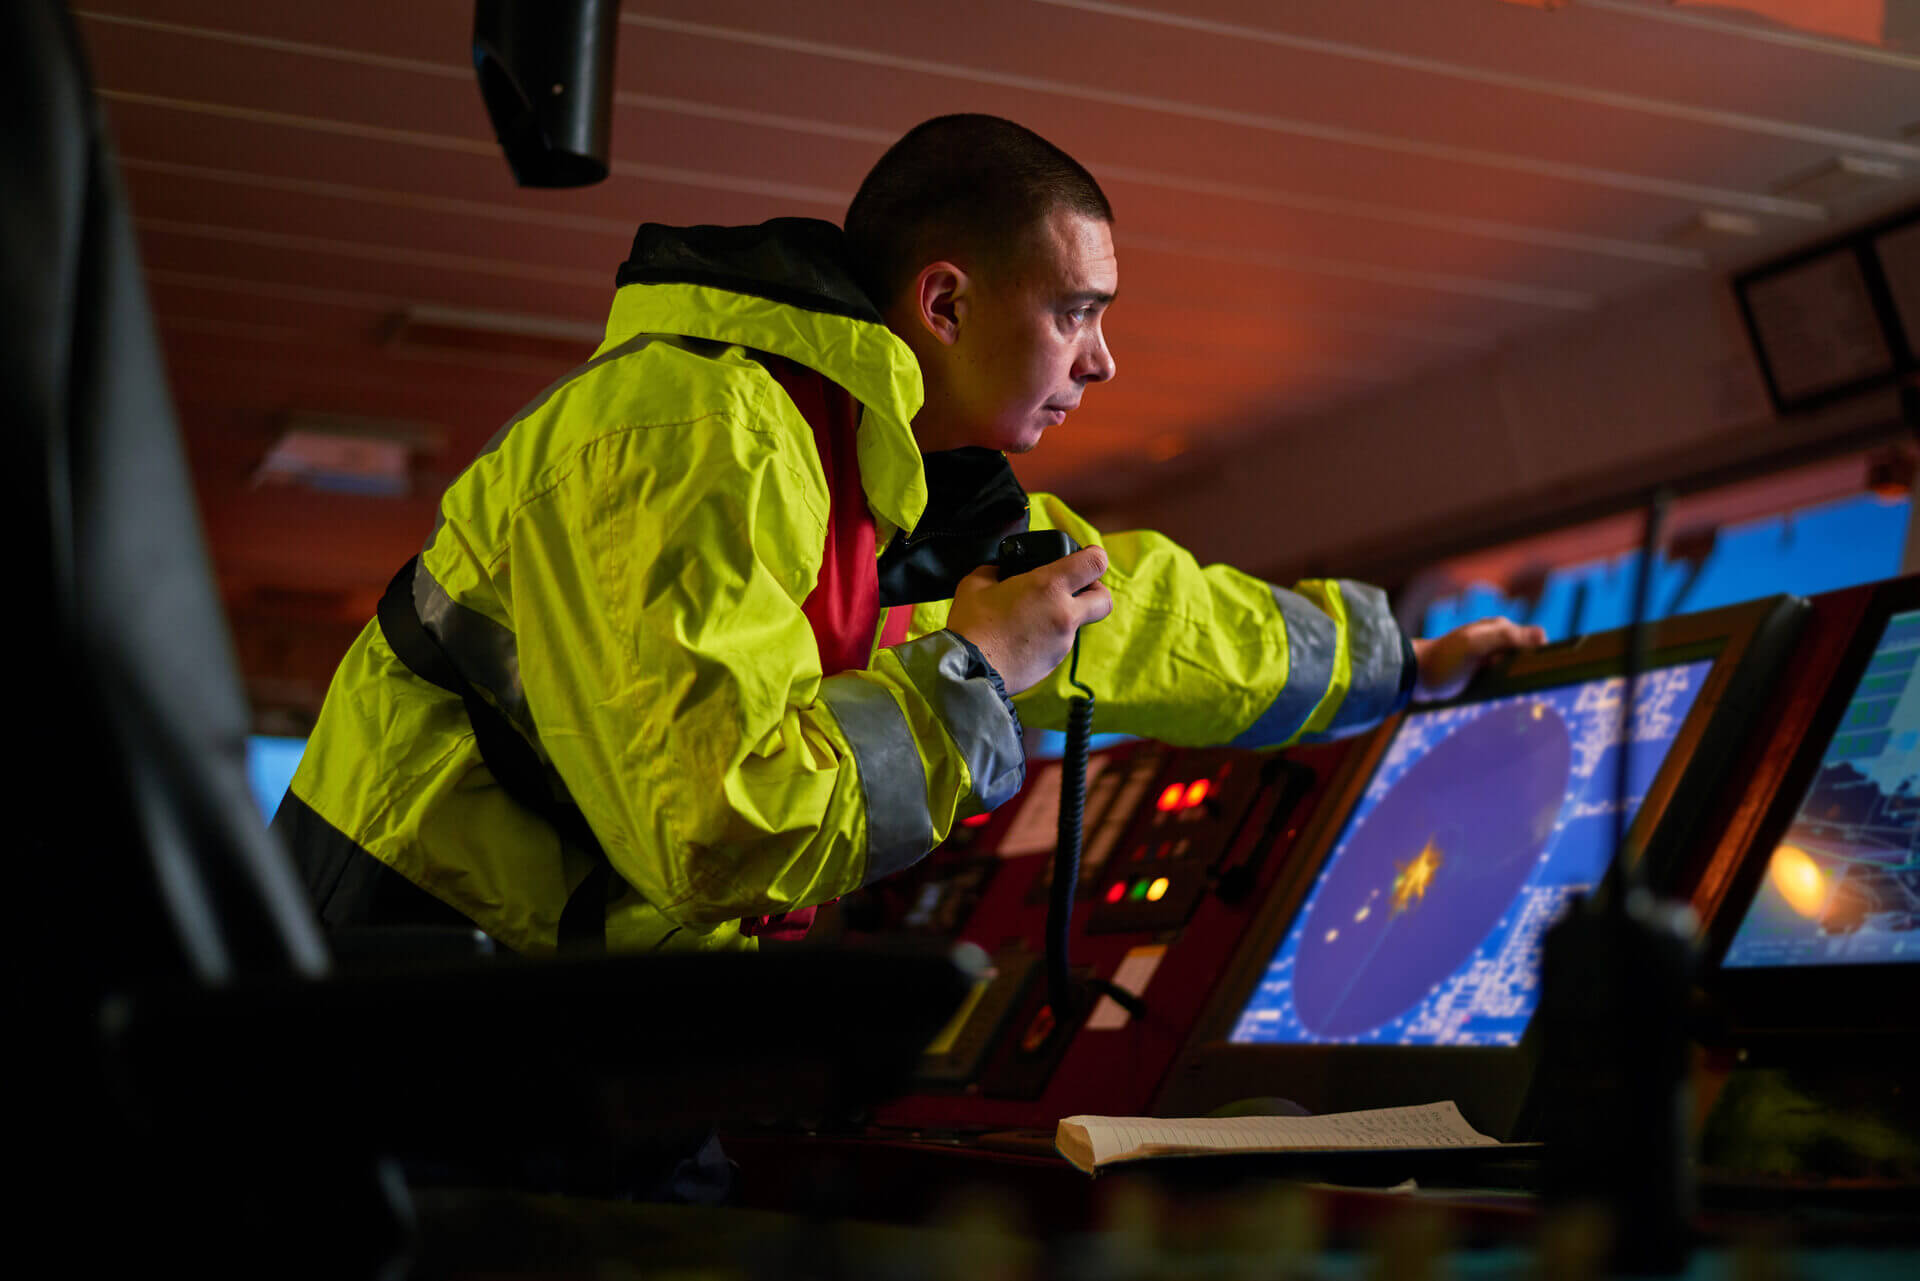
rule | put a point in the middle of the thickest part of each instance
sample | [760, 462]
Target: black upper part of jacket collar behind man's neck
[790, 260]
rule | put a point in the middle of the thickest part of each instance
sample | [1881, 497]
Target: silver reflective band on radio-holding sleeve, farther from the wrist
[900, 833]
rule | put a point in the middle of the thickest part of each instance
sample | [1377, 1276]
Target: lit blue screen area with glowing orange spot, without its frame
[1844, 884]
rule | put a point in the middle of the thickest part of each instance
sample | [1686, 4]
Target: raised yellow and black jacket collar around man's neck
[784, 287]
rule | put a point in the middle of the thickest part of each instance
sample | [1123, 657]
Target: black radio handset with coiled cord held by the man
[1020, 554]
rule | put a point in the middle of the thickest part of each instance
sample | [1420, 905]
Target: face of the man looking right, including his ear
[1028, 341]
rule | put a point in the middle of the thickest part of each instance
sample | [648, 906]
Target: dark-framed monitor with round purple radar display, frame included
[1399, 957]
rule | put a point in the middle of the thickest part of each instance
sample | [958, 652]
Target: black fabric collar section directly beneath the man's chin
[974, 502]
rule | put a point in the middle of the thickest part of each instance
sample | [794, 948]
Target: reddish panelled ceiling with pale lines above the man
[1314, 203]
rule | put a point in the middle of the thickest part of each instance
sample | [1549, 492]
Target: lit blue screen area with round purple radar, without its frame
[1481, 823]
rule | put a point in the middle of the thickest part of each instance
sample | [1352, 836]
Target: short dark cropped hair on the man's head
[961, 185]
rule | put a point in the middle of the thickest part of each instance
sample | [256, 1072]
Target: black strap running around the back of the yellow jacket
[508, 756]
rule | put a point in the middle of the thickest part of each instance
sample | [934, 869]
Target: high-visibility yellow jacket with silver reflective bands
[623, 575]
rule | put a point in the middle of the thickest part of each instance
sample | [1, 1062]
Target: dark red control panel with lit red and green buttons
[1180, 850]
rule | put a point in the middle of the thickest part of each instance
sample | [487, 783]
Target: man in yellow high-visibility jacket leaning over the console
[698, 642]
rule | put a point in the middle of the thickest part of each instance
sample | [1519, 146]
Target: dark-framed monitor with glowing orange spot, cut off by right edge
[1819, 931]
